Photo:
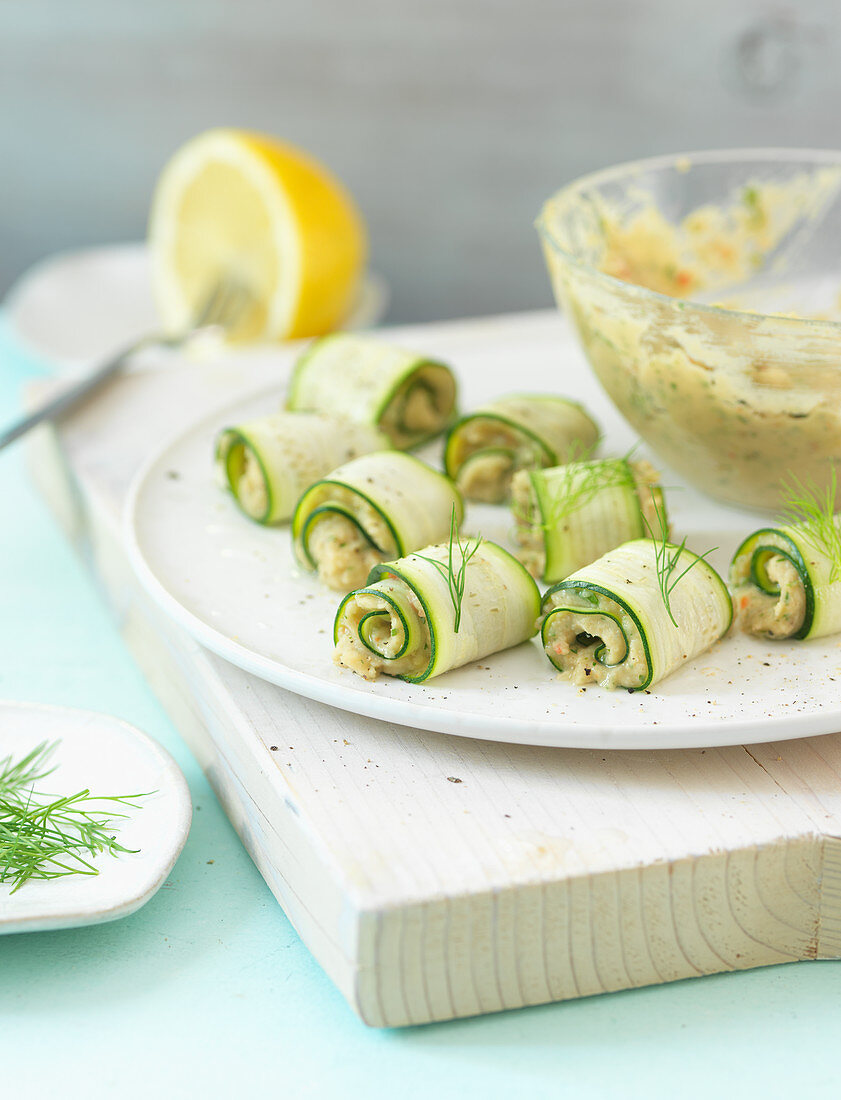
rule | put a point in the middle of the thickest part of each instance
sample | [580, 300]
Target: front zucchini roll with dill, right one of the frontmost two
[608, 623]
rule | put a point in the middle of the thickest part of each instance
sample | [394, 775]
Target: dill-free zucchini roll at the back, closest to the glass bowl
[528, 432]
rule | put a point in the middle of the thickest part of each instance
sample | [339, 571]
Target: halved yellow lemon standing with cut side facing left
[252, 208]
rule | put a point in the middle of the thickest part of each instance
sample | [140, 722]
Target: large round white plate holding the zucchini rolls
[234, 586]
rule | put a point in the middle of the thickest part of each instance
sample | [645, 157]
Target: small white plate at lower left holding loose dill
[109, 757]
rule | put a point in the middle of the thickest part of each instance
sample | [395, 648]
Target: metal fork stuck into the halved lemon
[222, 310]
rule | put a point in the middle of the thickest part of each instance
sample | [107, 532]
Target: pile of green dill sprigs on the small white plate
[49, 837]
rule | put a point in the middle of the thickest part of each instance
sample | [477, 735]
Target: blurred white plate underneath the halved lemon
[74, 310]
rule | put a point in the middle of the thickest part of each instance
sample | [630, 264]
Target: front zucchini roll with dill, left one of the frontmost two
[404, 622]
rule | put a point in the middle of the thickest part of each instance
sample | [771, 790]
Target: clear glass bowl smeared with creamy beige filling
[706, 292]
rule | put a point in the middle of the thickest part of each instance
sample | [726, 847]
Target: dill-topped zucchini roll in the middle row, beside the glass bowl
[569, 516]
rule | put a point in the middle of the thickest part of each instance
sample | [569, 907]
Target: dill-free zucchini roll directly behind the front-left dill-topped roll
[369, 511]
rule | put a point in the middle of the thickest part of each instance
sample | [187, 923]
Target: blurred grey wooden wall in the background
[450, 120]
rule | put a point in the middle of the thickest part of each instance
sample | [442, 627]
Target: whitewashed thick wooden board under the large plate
[543, 874]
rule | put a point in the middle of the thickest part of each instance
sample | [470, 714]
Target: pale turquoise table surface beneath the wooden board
[208, 992]
